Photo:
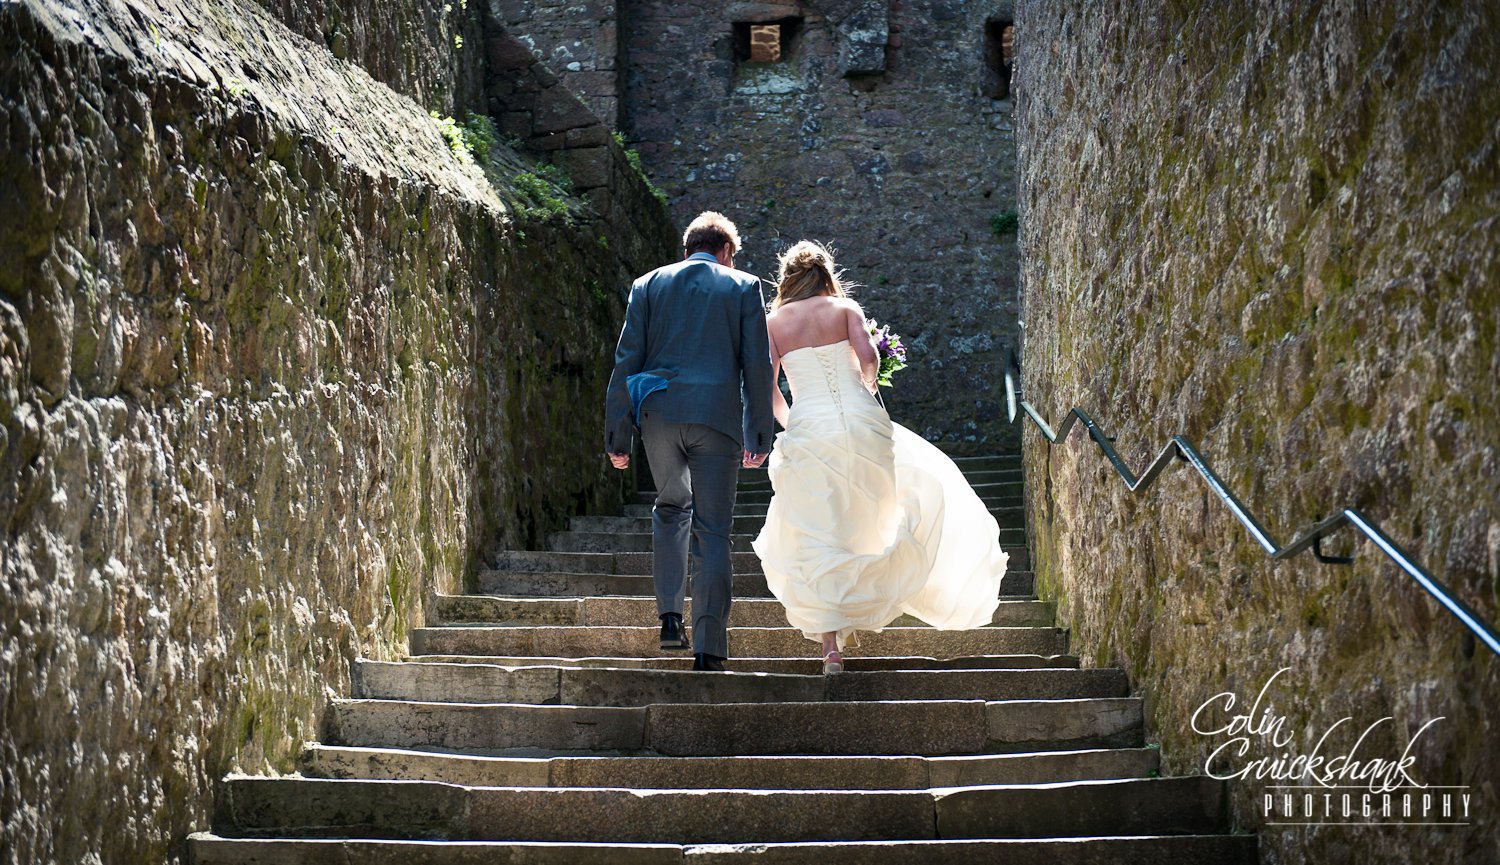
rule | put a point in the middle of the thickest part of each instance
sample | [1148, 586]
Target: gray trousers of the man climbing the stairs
[695, 468]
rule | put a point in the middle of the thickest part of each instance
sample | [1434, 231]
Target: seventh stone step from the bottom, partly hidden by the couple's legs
[643, 611]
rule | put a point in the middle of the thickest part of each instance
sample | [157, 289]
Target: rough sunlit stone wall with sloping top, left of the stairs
[275, 368]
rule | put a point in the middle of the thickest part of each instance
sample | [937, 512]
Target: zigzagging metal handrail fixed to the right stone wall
[1180, 447]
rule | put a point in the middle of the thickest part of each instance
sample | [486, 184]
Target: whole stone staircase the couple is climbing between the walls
[541, 723]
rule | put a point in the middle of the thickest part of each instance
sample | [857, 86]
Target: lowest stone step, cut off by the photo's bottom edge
[1142, 851]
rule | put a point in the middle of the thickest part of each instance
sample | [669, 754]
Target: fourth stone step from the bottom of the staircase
[928, 728]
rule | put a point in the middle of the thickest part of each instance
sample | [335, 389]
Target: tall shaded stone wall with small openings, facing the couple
[875, 133]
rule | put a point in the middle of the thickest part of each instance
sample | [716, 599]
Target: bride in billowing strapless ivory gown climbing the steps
[868, 521]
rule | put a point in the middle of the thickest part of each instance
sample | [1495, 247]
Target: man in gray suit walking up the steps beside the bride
[694, 376]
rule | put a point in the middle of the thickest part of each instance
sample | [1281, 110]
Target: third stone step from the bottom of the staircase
[730, 773]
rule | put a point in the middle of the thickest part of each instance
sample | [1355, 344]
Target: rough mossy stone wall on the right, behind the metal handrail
[1276, 232]
